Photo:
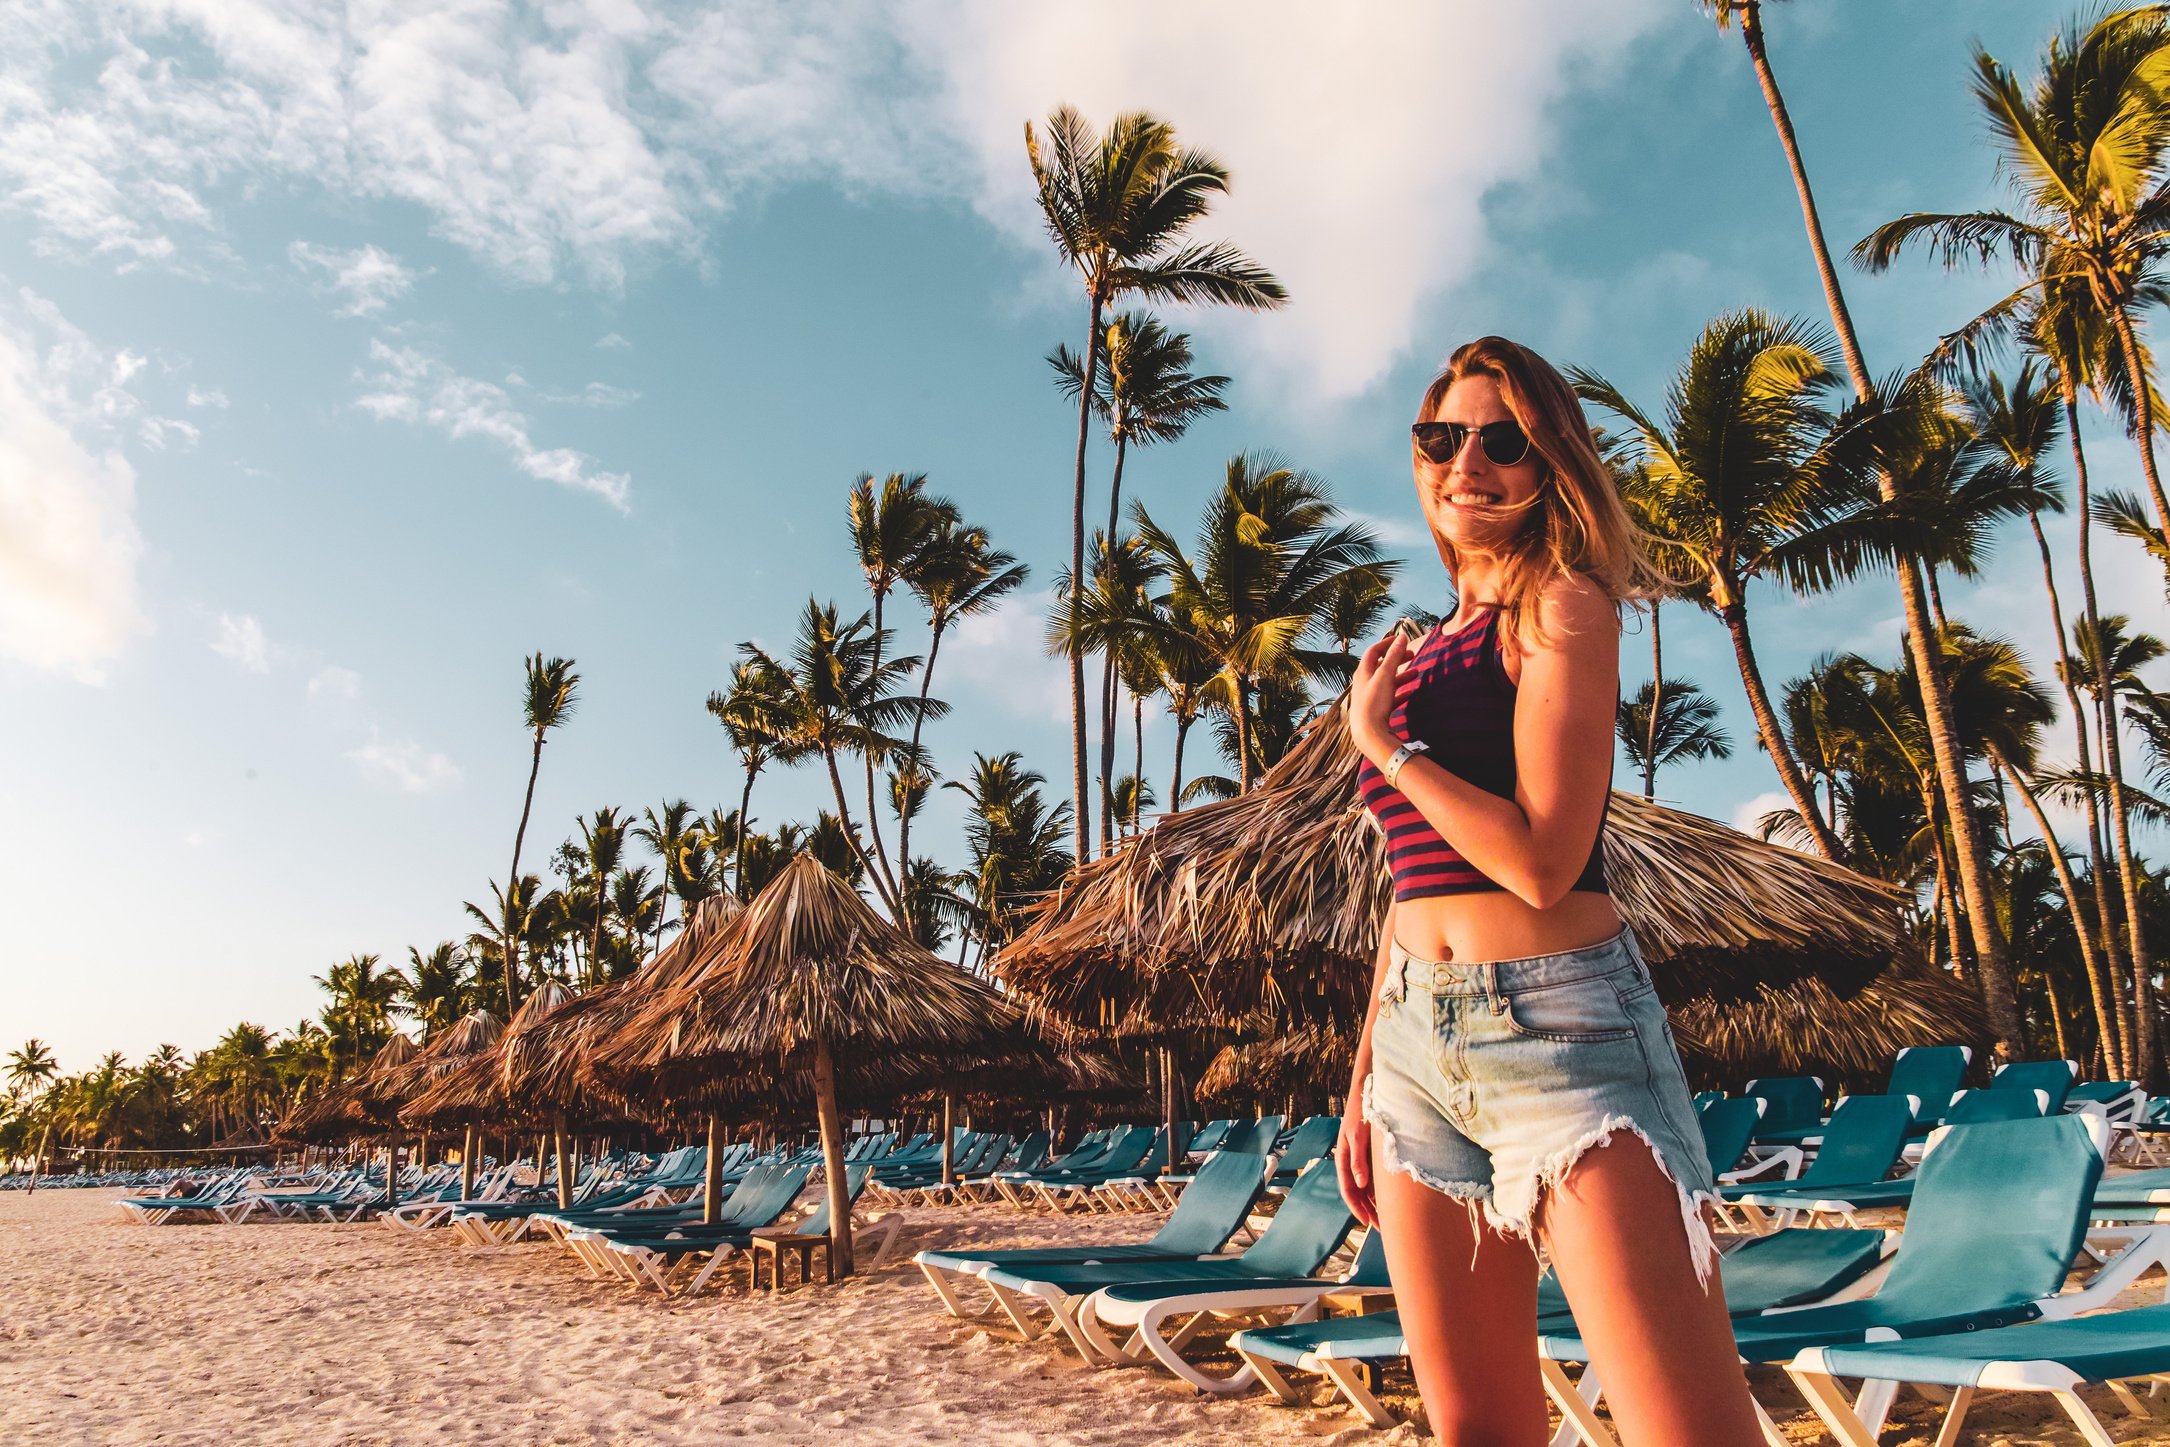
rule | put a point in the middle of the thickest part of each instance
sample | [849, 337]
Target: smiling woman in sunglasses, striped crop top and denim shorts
[1516, 1088]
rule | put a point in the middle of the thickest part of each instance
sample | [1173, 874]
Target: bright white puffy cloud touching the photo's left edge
[68, 533]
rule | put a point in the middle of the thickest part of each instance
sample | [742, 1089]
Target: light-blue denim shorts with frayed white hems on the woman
[1492, 1079]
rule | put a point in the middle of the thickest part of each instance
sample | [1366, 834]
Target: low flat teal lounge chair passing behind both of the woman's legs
[1761, 1275]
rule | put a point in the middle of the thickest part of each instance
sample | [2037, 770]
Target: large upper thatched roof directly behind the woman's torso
[1266, 908]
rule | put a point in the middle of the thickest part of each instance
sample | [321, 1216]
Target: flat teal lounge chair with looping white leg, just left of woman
[1147, 1309]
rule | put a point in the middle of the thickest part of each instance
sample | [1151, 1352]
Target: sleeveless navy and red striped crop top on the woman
[1459, 702]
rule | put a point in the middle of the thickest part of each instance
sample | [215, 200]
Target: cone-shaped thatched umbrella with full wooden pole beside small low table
[806, 975]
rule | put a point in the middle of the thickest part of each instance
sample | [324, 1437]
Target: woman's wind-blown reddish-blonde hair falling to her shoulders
[1577, 524]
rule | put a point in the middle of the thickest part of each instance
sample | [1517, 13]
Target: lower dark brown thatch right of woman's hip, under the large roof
[1809, 1029]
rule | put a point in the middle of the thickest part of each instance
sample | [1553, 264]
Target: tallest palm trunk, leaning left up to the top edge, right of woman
[1922, 641]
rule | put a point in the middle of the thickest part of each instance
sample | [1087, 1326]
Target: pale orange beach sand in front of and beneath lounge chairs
[331, 1335]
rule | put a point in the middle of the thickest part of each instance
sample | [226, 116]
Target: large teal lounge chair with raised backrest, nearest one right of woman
[1995, 1225]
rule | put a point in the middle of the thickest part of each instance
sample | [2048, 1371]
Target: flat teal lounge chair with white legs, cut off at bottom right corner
[2032, 1357]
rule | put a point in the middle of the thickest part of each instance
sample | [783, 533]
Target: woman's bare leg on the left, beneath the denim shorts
[1468, 1301]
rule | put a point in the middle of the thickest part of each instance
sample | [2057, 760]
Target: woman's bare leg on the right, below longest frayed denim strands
[1661, 1342]
